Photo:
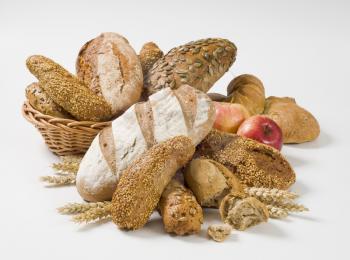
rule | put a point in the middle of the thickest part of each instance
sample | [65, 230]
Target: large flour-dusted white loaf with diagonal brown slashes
[168, 113]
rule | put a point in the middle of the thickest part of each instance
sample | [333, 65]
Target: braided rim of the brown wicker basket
[36, 117]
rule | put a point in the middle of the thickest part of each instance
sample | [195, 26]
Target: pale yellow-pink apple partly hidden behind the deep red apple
[229, 116]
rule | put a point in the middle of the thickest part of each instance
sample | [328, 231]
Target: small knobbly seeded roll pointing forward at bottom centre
[181, 213]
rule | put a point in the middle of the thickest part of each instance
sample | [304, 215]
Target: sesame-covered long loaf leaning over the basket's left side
[68, 91]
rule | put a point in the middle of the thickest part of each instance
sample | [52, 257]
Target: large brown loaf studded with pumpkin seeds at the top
[199, 64]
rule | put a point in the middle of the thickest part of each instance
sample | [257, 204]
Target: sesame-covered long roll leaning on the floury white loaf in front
[143, 181]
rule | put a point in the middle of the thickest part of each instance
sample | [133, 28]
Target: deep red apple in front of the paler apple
[263, 130]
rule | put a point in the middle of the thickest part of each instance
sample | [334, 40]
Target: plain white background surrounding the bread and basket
[297, 48]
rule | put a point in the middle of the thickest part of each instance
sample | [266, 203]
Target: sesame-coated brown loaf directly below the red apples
[255, 164]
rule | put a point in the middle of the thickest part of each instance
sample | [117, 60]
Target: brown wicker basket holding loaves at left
[63, 136]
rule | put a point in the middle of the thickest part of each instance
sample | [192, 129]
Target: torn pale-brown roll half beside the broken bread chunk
[210, 181]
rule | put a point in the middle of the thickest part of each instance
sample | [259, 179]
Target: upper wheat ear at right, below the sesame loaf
[269, 196]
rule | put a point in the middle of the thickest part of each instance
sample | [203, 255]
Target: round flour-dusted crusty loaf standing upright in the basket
[111, 68]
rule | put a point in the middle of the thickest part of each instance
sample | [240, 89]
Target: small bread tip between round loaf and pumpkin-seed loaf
[149, 54]
